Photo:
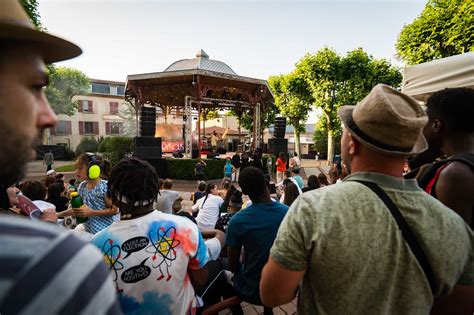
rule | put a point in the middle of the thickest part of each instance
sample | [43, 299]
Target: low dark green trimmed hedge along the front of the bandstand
[184, 168]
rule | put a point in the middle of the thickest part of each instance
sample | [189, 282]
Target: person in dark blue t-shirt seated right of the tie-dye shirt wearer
[254, 229]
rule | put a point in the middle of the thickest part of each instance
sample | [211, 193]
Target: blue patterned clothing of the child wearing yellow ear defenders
[94, 199]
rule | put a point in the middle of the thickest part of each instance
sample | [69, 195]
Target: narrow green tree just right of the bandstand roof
[293, 99]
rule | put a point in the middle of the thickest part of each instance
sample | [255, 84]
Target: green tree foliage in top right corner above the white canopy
[444, 28]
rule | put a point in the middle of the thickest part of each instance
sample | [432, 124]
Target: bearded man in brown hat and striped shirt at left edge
[43, 269]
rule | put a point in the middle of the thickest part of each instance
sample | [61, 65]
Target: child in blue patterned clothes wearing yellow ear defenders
[93, 191]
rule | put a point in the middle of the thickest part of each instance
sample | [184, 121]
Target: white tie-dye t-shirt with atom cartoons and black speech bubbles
[148, 258]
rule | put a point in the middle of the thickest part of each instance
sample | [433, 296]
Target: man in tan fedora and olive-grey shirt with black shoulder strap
[375, 243]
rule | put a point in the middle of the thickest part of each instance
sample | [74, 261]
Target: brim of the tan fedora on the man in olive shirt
[345, 113]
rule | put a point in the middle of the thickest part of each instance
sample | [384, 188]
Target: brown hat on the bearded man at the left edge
[16, 26]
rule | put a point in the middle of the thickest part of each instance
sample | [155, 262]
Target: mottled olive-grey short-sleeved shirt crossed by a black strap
[355, 257]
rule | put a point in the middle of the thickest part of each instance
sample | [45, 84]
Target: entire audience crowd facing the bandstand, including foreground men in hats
[386, 231]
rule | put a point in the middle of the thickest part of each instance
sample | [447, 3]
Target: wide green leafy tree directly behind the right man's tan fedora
[336, 80]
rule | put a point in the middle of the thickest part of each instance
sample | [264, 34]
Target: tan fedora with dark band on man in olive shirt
[387, 121]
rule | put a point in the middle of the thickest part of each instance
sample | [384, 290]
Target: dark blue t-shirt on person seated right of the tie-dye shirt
[255, 229]
